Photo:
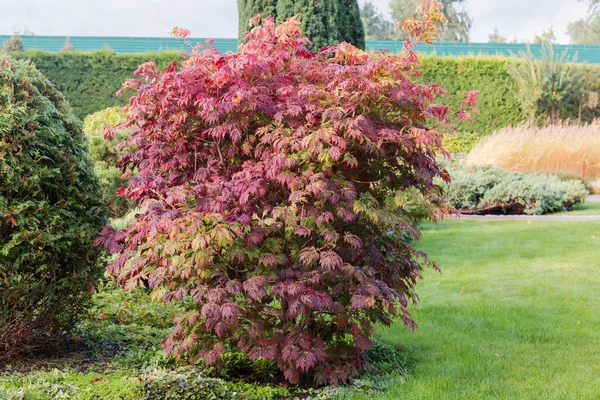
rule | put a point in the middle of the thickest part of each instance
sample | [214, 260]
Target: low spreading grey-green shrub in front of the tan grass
[492, 190]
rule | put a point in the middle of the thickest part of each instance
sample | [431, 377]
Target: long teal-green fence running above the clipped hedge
[583, 53]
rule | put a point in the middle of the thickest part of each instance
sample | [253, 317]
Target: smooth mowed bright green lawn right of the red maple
[515, 313]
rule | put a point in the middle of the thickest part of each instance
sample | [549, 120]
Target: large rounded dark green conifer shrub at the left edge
[50, 211]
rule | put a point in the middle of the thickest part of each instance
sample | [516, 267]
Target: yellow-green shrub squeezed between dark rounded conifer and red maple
[105, 157]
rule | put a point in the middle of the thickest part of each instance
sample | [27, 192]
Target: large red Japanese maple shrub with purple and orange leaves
[280, 191]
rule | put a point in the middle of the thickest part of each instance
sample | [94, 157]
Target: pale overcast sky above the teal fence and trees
[520, 19]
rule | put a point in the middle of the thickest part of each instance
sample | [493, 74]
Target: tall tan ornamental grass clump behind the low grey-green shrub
[567, 150]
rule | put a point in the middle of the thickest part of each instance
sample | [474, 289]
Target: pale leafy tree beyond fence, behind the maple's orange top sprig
[459, 23]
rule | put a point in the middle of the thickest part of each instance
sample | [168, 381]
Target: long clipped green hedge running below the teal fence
[89, 80]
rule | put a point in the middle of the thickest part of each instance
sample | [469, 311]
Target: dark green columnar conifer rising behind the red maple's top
[325, 22]
